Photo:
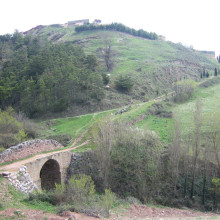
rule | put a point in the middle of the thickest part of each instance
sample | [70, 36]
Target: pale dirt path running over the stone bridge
[14, 166]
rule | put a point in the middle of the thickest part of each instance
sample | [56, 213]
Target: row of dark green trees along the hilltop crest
[118, 27]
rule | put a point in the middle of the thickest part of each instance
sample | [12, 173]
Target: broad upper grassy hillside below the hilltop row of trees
[153, 64]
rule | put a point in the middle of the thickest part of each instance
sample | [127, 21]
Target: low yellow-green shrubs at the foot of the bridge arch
[77, 195]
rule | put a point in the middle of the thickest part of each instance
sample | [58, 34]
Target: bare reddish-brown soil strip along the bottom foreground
[135, 212]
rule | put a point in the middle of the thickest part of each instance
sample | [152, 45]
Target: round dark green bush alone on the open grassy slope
[124, 83]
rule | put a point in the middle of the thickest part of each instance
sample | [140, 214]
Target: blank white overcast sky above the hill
[191, 22]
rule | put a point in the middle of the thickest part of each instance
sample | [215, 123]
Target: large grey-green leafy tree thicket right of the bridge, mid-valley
[117, 144]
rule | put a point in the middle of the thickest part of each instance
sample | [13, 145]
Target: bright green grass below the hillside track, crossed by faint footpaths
[77, 126]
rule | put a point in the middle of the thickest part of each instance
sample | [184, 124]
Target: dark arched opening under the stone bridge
[50, 174]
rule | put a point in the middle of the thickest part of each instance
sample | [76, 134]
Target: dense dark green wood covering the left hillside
[37, 76]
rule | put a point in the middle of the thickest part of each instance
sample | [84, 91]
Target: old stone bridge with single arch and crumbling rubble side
[41, 171]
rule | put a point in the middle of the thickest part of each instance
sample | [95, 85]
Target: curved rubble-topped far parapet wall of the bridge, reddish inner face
[28, 148]
